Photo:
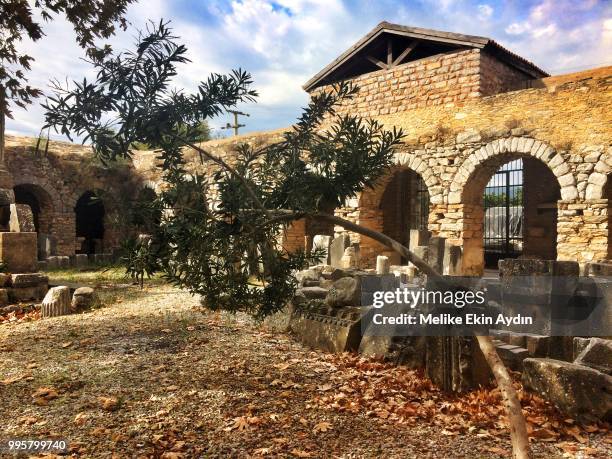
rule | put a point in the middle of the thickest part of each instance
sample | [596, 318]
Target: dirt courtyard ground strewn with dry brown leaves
[150, 375]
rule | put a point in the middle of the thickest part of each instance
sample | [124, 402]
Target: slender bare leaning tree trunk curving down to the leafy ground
[518, 427]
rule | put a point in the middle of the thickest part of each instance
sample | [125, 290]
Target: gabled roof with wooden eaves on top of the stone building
[424, 35]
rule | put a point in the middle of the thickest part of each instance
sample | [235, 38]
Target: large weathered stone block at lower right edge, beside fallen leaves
[578, 391]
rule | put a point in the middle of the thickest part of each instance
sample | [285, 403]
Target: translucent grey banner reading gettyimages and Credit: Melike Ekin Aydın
[552, 306]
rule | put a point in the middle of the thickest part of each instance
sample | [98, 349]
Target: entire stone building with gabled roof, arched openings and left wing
[490, 139]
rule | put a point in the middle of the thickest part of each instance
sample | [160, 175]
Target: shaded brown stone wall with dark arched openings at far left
[58, 178]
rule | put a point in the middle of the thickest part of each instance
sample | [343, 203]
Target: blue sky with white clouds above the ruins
[283, 43]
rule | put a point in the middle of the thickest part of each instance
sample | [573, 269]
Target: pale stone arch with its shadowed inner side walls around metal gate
[540, 219]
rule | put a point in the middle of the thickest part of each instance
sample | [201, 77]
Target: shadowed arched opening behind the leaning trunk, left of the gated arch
[400, 202]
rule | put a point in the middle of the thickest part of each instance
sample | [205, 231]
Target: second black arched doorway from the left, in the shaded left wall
[89, 212]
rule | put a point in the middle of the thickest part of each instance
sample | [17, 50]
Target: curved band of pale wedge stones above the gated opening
[505, 149]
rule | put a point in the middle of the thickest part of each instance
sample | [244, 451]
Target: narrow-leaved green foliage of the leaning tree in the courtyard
[223, 246]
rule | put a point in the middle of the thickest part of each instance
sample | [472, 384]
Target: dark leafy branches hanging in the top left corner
[91, 19]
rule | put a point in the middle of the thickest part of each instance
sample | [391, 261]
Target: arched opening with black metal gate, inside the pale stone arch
[510, 210]
